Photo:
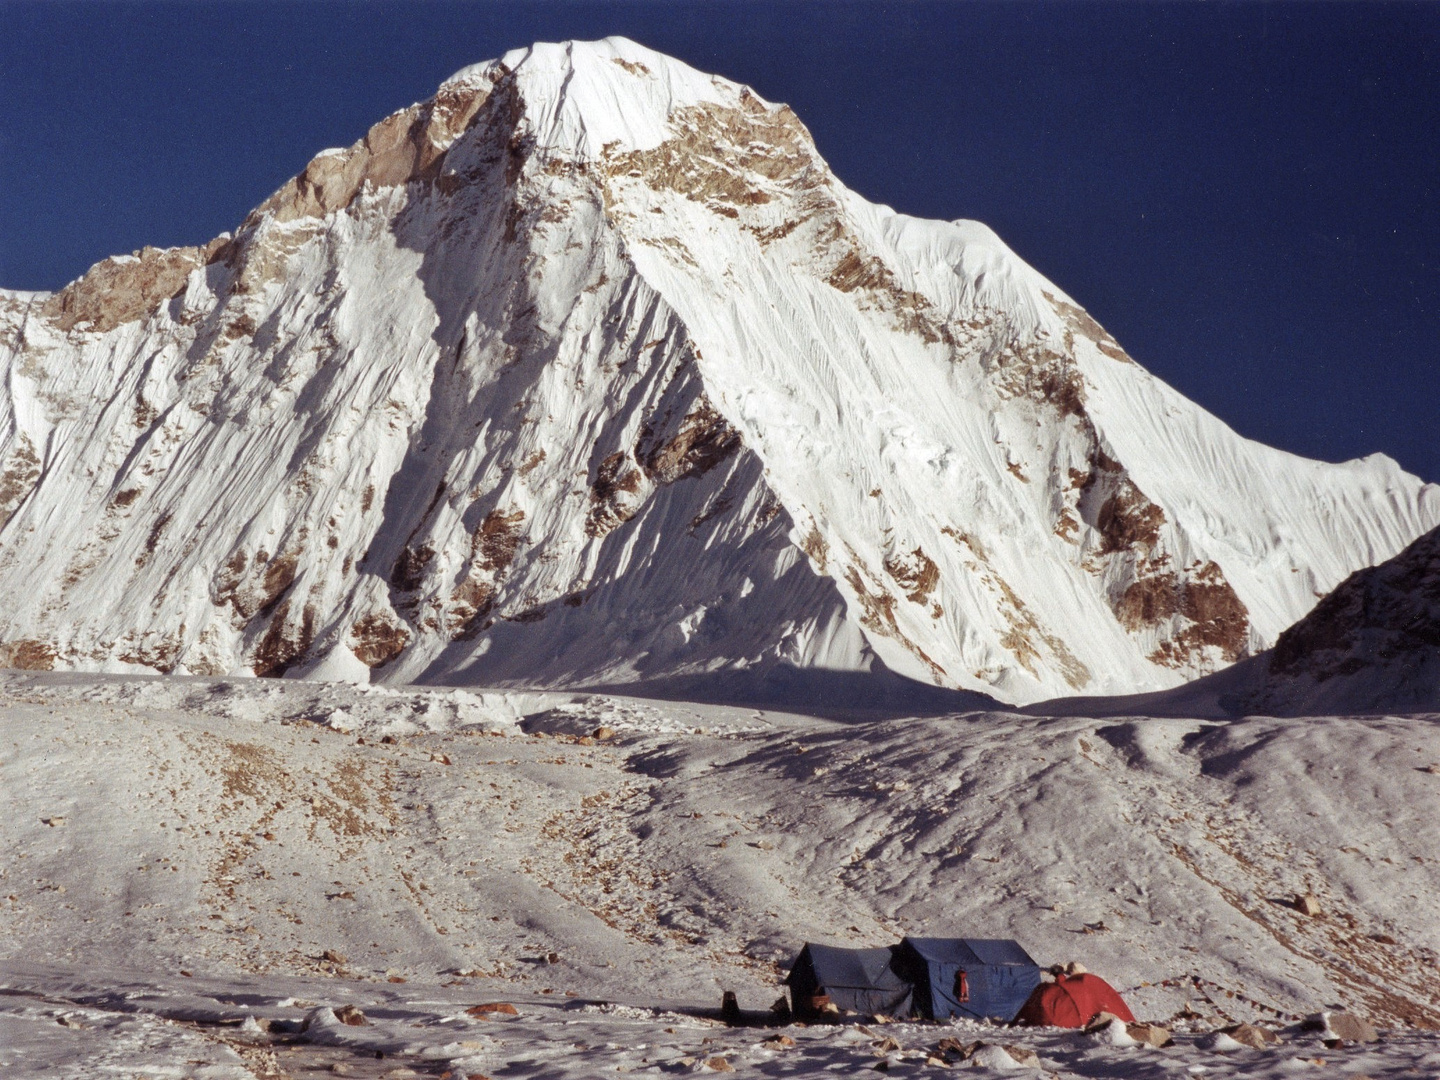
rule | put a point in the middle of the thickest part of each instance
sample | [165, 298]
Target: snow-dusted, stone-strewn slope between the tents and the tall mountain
[215, 827]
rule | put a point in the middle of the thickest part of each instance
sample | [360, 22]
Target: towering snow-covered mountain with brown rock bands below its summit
[590, 371]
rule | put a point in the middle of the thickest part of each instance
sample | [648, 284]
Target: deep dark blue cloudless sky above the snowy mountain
[1246, 197]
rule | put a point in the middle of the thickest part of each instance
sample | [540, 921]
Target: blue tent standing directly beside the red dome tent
[967, 977]
